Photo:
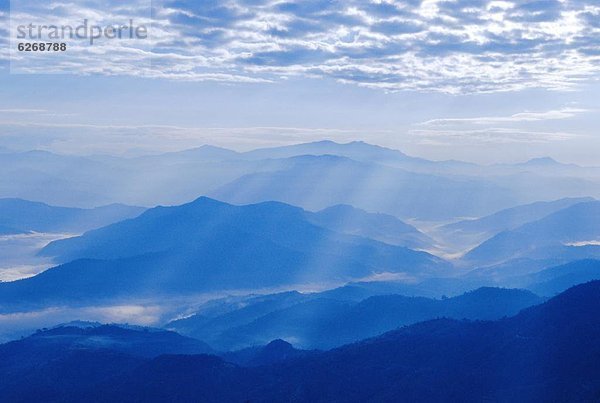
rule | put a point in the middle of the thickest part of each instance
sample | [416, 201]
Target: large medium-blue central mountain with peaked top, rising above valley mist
[208, 245]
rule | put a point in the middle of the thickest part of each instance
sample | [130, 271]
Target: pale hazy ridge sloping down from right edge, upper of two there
[478, 230]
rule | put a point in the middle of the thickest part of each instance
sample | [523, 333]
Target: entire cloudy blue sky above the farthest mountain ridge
[483, 81]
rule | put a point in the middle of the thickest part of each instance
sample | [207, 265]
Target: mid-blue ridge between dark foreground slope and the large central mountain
[359, 310]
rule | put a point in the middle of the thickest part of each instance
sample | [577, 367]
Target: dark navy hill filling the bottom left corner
[55, 363]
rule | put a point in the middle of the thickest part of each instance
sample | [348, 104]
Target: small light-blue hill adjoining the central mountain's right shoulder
[381, 227]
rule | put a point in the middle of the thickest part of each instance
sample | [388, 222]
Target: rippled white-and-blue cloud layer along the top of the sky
[453, 46]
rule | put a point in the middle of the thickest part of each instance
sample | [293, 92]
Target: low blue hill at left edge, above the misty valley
[24, 216]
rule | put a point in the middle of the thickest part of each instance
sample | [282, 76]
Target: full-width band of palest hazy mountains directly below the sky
[313, 176]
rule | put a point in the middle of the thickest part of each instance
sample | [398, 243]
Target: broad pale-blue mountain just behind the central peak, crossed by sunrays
[318, 182]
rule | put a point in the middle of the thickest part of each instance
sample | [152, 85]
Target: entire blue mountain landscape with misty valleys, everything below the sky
[311, 272]
